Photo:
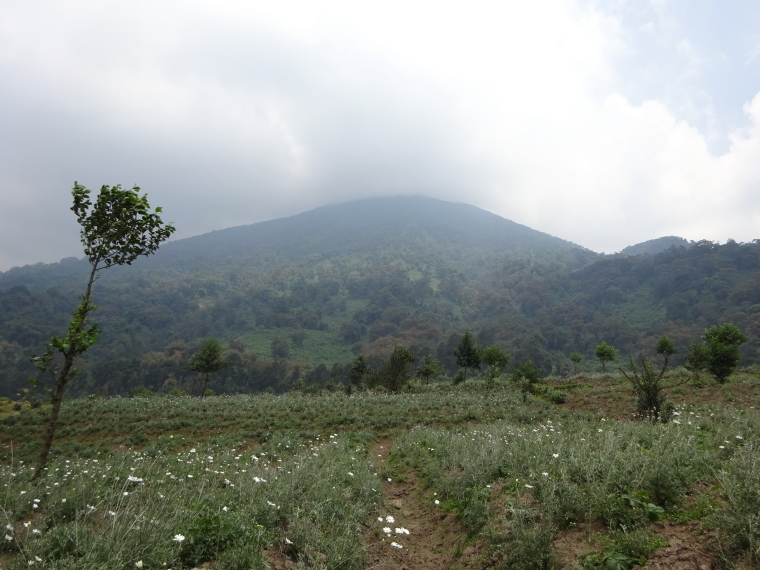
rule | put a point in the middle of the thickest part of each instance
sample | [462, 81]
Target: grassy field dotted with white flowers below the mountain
[439, 476]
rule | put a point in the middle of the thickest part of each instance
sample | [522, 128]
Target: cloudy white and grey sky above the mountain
[606, 123]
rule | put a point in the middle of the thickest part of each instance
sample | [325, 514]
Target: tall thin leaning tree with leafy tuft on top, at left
[116, 230]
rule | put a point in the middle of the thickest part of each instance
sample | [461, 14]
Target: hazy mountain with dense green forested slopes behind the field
[296, 299]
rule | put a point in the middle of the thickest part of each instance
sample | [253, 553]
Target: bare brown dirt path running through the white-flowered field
[436, 539]
